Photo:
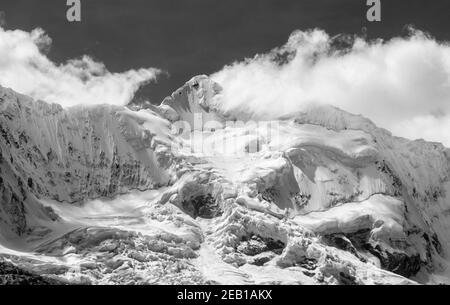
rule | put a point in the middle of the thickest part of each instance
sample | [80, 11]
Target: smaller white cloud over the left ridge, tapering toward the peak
[25, 68]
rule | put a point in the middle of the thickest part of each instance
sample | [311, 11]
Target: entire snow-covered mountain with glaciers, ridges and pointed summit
[185, 192]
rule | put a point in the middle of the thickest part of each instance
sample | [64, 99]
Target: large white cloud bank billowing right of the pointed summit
[402, 84]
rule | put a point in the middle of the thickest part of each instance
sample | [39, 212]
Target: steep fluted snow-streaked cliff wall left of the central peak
[75, 154]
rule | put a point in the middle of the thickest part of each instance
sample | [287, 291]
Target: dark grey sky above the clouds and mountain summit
[189, 37]
